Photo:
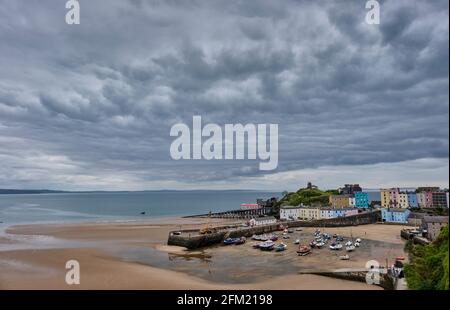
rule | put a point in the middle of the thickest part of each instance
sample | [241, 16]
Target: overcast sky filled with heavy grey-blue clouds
[90, 106]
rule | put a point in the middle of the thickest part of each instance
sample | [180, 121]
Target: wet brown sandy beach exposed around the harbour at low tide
[135, 256]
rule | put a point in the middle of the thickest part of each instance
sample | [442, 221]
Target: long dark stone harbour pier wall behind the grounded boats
[192, 239]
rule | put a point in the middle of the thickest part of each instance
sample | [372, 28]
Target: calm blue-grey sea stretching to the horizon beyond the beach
[119, 206]
